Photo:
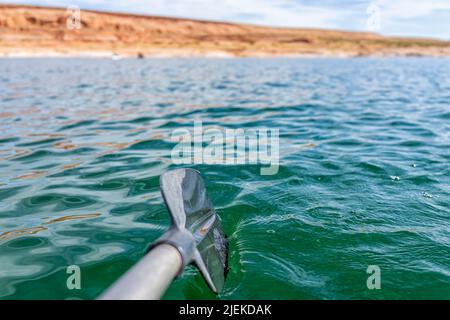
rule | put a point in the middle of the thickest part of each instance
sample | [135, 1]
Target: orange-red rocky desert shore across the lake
[28, 31]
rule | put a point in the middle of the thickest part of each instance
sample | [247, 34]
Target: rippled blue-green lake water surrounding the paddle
[364, 175]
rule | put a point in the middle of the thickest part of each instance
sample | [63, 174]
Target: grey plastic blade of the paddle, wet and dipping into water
[186, 199]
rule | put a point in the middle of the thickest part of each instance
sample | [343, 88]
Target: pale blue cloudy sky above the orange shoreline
[423, 18]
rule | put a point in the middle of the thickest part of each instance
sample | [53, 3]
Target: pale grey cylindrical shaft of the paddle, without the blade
[149, 278]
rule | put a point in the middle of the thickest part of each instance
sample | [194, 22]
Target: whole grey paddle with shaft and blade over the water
[195, 236]
